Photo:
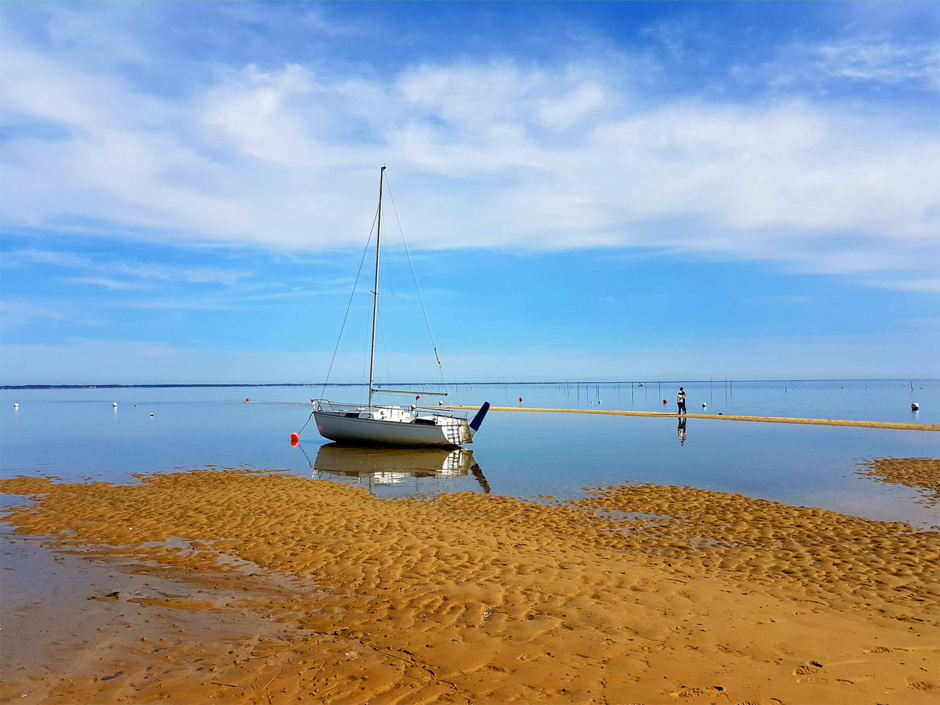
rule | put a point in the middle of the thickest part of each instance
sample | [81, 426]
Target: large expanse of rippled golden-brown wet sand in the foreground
[639, 594]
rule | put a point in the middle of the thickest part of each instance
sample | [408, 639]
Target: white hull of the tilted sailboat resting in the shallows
[353, 429]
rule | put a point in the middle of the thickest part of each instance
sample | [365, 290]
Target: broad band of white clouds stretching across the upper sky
[491, 154]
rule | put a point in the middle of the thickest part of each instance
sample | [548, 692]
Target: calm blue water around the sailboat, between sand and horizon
[78, 435]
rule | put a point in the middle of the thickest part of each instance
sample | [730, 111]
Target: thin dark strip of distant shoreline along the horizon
[460, 384]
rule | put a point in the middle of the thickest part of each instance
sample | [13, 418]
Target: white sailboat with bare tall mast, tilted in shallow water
[376, 424]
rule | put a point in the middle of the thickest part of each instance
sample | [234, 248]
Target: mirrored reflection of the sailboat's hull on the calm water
[384, 466]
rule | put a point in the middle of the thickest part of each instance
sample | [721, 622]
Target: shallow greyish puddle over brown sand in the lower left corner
[70, 612]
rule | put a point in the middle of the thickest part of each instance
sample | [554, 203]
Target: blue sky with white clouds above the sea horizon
[610, 191]
